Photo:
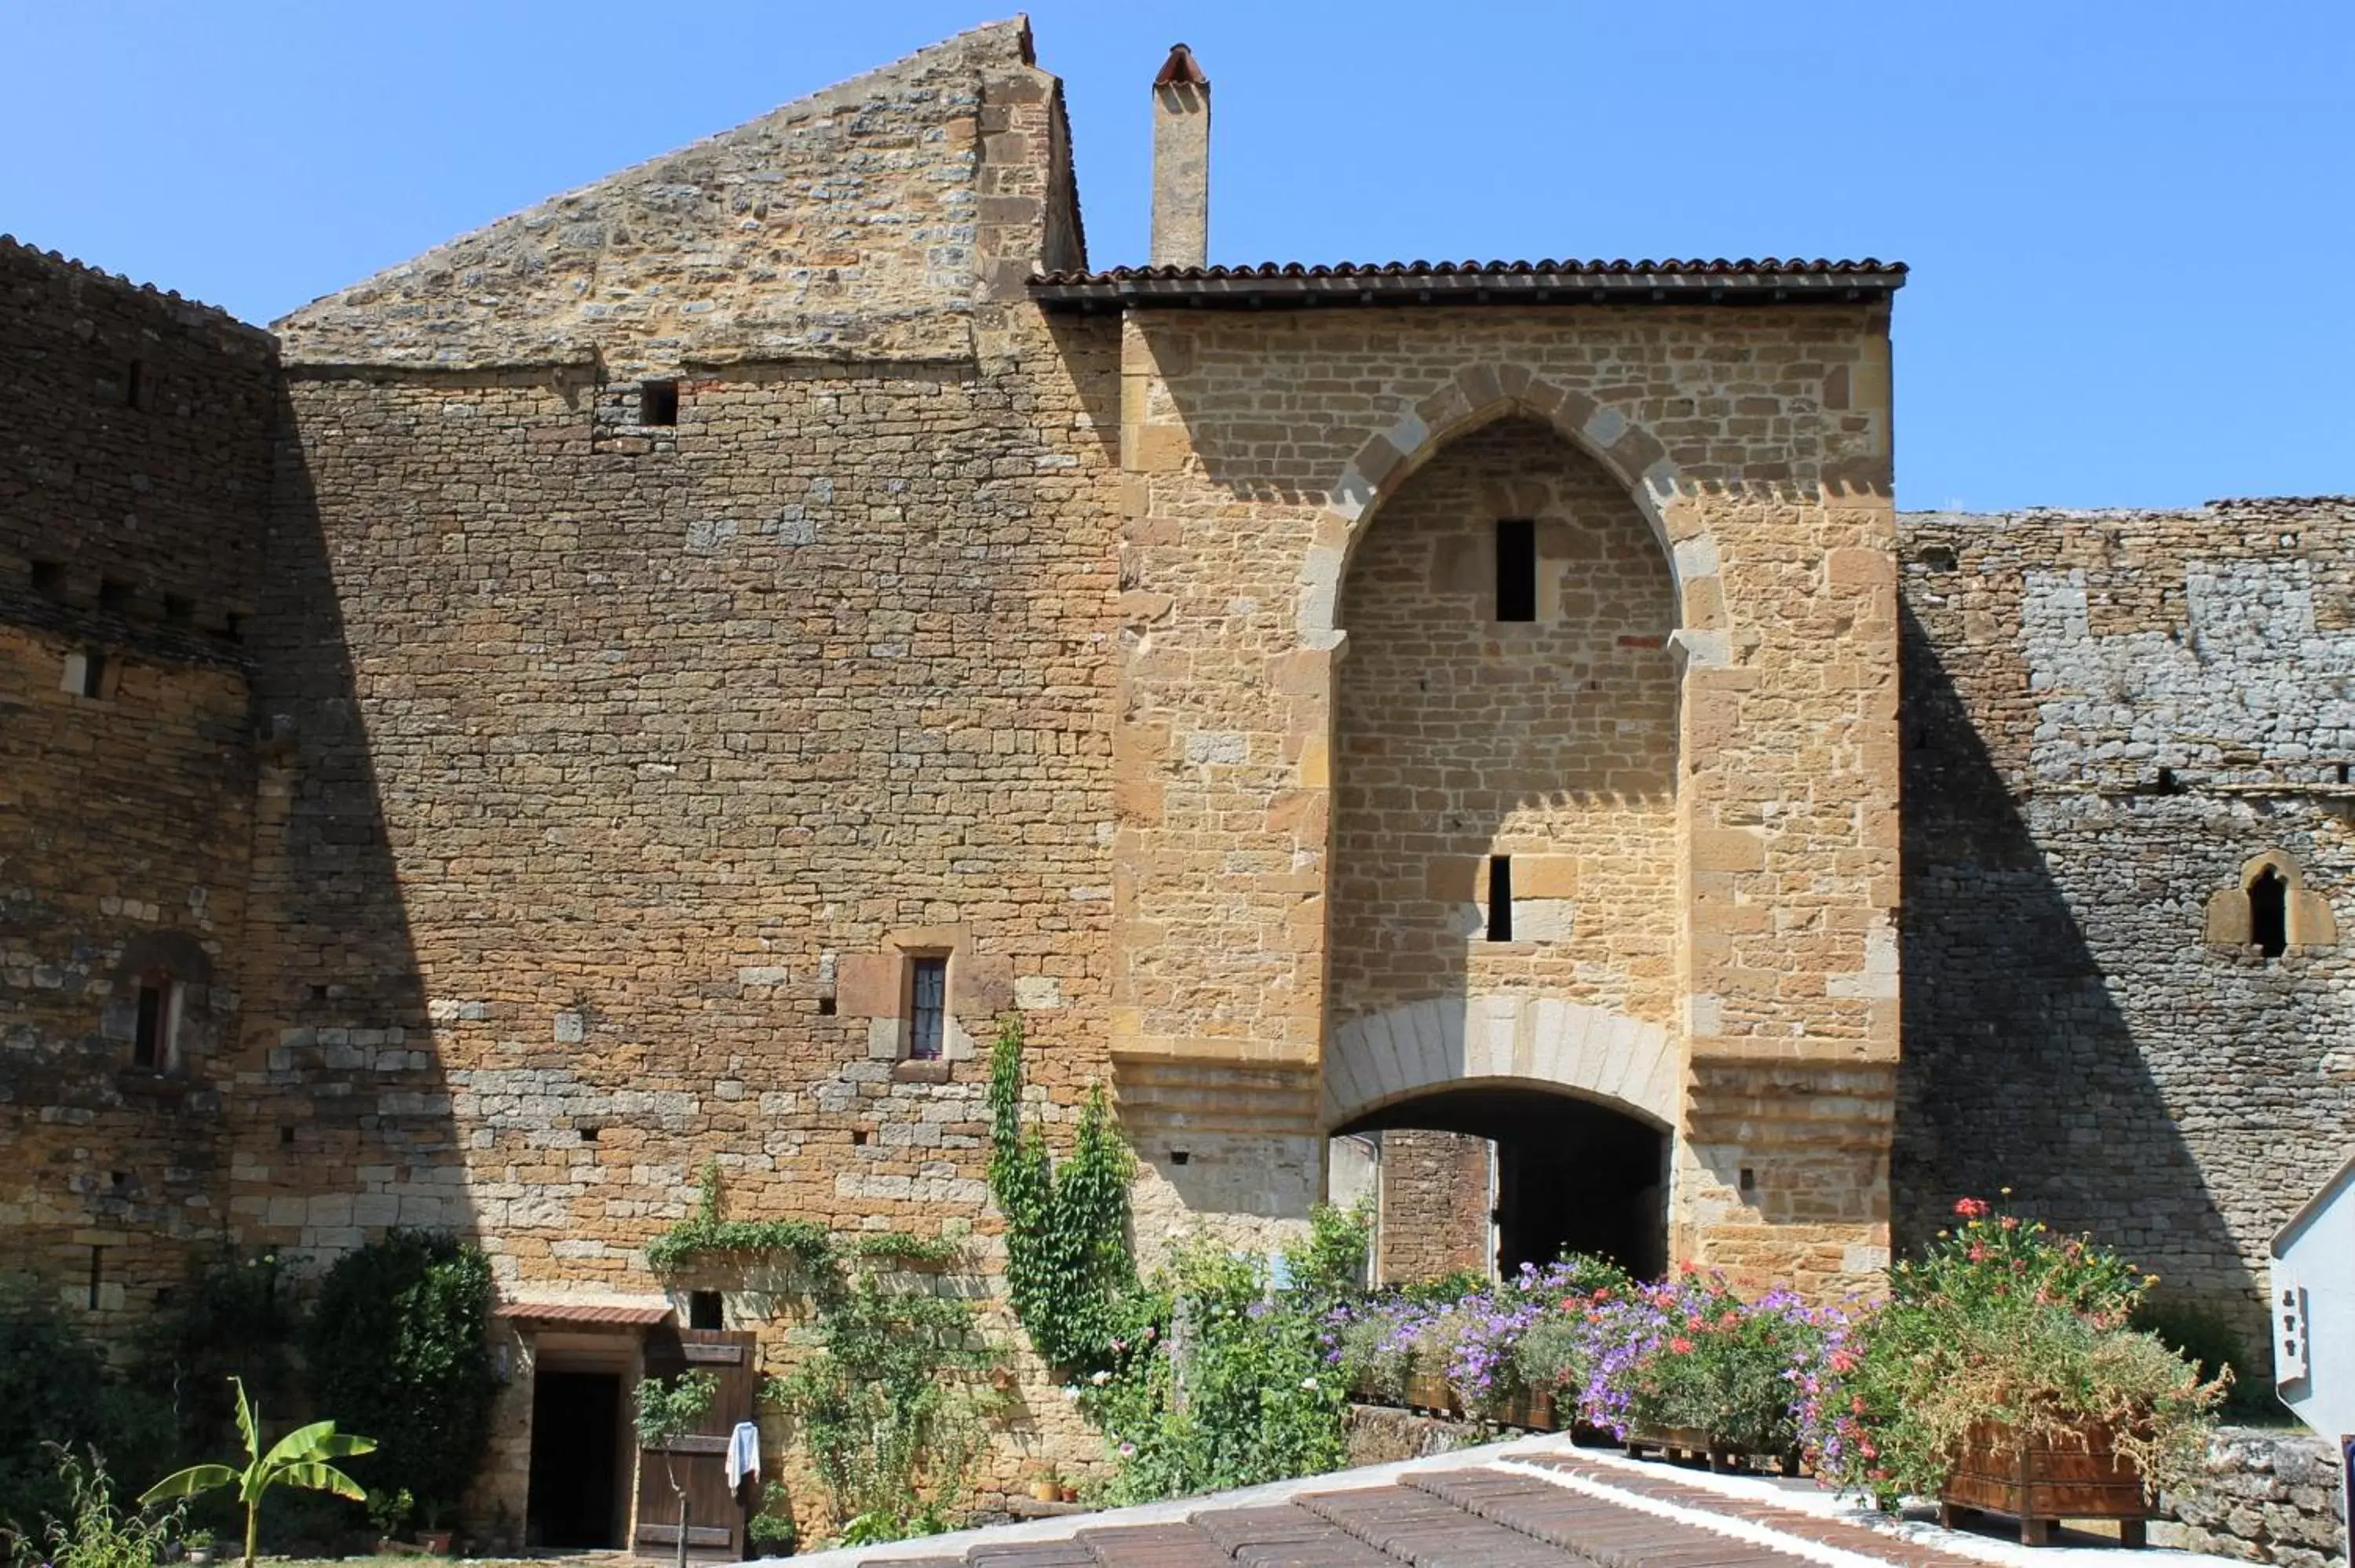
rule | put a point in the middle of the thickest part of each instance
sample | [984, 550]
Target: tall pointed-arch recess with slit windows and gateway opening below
[1504, 926]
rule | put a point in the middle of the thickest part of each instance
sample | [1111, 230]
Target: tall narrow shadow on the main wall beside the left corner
[345, 1117]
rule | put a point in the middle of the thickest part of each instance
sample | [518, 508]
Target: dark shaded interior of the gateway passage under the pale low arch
[1572, 1176]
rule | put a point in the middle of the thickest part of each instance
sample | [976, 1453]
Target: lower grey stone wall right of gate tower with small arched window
[2111, 719]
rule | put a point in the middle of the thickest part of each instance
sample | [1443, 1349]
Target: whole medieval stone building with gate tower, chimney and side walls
[654, 682]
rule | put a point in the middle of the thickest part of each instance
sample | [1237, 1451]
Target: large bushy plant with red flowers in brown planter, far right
[2003, 1374]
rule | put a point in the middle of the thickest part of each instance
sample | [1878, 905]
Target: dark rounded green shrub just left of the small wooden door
[399, 1350]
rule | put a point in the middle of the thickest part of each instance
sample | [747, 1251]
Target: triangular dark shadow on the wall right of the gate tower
[2019, 1065]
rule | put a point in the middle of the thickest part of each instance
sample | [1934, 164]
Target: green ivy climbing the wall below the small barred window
[1068, 1265]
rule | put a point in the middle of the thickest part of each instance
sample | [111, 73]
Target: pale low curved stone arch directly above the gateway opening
[1525, 1039]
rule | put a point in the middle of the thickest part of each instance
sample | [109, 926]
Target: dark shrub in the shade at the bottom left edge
[55, 1388]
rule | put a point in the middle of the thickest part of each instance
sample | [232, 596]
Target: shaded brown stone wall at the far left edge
[133, 496]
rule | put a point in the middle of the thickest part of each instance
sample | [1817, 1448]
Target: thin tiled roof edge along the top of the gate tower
[1294, 284]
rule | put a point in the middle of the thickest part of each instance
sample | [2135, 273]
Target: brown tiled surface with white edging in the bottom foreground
[1537, 1503]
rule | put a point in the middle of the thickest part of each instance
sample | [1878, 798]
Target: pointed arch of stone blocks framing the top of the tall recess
[1478, 397]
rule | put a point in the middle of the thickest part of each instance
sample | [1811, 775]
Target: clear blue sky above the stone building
[2130, 222]
